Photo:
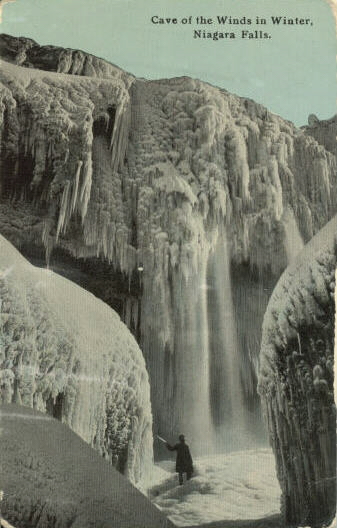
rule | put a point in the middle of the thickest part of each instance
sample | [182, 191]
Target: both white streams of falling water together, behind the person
[207, 365]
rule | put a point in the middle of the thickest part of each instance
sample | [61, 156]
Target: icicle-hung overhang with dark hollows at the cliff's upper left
[47, 146]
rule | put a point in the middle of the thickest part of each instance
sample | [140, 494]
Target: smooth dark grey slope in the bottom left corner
[51, 479]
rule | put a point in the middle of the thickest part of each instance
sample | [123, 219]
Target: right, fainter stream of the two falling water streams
[227, 398]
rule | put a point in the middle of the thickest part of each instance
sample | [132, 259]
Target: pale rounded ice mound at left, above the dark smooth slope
[66, 353]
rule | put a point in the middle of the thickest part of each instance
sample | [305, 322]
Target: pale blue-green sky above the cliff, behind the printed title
[293, 73]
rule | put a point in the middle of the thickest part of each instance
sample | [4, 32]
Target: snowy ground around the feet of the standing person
[236, 486]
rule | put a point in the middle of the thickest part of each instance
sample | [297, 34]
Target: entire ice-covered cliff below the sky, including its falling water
[182, 197]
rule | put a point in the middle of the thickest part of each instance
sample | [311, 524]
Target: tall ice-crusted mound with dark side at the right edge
[296, 382]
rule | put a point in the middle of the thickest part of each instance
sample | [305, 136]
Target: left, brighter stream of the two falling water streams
[192, 361]
